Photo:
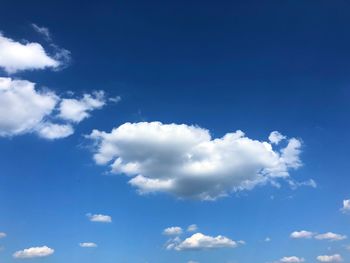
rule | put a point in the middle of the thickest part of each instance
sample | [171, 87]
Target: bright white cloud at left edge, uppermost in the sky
[15, 56]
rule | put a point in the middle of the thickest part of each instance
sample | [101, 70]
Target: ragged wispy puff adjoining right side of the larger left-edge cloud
[76, 110]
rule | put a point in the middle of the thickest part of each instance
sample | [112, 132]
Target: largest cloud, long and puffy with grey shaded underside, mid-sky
[187, 162]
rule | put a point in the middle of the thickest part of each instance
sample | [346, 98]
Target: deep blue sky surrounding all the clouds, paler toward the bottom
[255, 66]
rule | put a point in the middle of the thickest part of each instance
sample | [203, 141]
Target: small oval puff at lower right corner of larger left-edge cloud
[55, 131]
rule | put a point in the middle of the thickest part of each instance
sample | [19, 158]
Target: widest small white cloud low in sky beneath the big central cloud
[199, 241]
